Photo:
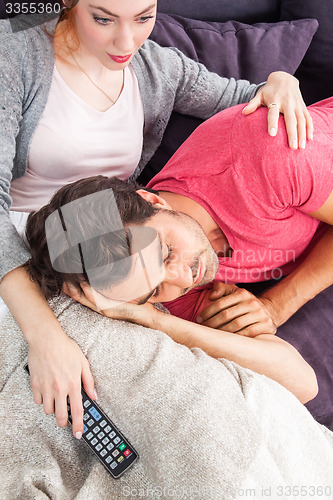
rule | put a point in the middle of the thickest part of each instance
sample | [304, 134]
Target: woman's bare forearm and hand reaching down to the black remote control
[56, 362]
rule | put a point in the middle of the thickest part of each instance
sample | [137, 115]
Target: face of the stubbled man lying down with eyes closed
[188, 260]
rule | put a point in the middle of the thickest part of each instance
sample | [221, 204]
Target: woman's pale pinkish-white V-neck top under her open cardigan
[74, 140]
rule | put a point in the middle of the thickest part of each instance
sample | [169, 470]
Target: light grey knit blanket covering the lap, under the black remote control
[204, 428]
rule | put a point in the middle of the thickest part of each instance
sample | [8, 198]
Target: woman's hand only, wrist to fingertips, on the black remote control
[57, 366]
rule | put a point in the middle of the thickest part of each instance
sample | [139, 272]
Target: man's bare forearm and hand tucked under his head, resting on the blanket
[264, 354]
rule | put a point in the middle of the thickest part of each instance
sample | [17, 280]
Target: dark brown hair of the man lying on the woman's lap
[105, 250]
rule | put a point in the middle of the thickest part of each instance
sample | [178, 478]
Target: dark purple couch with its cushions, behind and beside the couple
[249, 39]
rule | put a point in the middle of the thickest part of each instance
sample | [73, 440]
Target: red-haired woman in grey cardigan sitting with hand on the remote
[95, 64]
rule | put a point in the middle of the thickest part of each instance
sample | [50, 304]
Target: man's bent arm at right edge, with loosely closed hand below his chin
[239, 311]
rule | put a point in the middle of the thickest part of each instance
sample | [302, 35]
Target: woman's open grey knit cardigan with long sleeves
[167, 81]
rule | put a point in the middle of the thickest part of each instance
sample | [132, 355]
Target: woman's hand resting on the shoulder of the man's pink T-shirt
[281, 94]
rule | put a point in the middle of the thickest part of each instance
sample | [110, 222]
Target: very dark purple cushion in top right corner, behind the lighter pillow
[316, 70]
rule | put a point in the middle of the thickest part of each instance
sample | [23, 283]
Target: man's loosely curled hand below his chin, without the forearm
[236, 310]
